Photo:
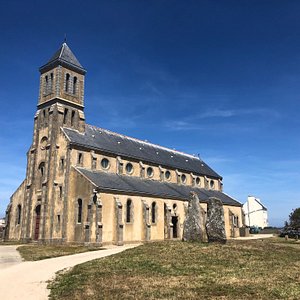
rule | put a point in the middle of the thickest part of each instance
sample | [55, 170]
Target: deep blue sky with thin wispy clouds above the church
[219, 79]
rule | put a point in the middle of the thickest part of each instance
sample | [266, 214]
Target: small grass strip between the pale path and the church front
[34, 252]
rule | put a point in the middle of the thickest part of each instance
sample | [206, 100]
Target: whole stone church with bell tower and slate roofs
[89, 185]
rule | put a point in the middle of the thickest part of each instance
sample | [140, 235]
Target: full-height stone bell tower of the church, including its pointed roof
[60, 104]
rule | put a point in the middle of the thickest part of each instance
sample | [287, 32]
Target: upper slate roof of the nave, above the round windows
[124, 146]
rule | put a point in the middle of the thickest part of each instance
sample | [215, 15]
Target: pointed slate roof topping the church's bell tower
[65, 57]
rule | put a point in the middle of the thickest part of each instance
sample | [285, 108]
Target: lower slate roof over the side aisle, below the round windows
[129, 184]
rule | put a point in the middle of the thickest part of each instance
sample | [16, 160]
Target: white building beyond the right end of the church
[256, 214]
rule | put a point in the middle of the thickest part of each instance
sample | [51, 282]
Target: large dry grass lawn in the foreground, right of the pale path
[259, 269]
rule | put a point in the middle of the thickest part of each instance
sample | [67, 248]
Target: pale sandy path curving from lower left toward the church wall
[28, 280]
